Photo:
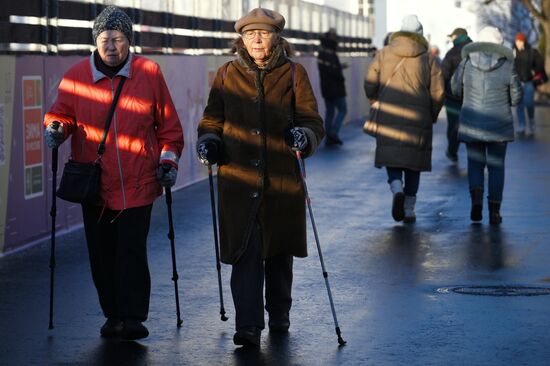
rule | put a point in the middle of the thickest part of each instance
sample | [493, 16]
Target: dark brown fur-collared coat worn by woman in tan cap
[249, 112]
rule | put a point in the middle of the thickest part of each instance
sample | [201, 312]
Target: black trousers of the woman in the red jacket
[117, 247]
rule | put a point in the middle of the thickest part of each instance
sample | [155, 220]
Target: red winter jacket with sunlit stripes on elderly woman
[145, 127]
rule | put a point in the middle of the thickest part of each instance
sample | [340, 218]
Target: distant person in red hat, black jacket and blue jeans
[530, 68]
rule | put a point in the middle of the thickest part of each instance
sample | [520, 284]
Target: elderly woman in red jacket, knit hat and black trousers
[145, 134]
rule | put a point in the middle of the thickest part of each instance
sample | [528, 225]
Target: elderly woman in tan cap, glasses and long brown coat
[261, 107]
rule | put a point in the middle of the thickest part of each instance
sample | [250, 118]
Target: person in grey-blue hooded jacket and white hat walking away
[490, 86]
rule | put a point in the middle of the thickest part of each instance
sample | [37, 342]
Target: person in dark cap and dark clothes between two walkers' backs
[452, 59]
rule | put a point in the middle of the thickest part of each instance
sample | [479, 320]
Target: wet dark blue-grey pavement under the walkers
[392, 283]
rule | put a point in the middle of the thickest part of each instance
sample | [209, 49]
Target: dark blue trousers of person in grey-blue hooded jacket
[490, 155]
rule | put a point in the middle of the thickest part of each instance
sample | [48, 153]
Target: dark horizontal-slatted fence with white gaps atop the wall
[192, 27]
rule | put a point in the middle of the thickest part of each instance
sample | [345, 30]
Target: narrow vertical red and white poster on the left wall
[32, 136]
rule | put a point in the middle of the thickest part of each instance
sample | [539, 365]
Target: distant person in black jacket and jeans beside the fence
[333, 86]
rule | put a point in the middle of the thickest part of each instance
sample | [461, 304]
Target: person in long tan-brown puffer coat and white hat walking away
[408, 85]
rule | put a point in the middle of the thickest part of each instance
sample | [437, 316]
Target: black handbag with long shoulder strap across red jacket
[80, 181]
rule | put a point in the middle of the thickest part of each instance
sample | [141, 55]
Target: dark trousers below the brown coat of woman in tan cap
[247, 284]
